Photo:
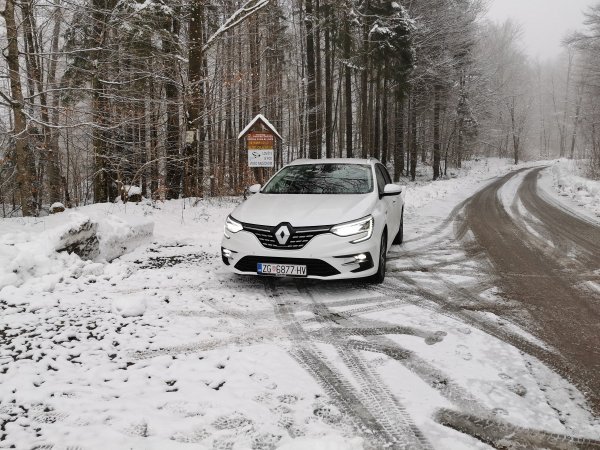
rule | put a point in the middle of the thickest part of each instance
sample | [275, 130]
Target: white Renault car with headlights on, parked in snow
[326, 219]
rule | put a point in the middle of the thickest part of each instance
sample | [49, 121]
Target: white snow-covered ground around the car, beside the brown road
[162, 348]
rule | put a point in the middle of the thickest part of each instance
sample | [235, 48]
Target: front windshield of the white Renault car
[322, 179]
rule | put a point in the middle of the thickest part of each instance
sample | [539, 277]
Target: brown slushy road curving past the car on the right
[548, 285]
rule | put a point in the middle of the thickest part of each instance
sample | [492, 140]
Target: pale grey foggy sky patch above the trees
[545, 22]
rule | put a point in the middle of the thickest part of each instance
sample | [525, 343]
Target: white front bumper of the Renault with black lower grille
[327, 256]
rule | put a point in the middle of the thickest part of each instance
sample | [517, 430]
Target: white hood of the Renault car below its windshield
[304, 210]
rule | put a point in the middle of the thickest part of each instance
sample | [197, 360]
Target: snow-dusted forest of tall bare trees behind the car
[100, 95]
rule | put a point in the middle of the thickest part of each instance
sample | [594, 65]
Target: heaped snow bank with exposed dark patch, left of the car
[36, 254]
